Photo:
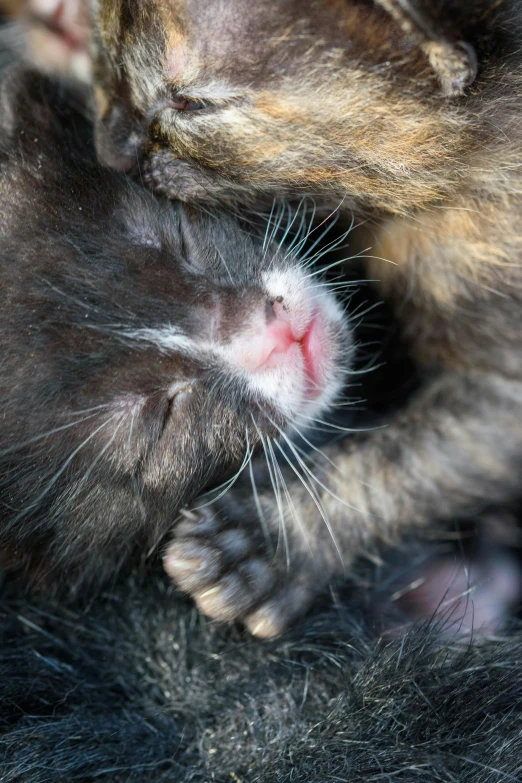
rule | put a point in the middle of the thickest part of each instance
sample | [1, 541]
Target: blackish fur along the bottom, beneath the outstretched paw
[136, 686]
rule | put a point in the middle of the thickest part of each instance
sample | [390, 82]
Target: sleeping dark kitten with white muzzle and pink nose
[148, 347]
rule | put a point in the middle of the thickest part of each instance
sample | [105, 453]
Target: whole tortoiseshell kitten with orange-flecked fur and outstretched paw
[408, 113]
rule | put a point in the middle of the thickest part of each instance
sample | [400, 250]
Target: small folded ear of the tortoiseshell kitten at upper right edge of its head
[454, 61]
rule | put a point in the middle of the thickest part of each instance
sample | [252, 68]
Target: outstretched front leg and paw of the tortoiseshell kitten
[456, 446]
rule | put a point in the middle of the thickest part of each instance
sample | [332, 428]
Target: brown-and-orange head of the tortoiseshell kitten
[225, 100]
